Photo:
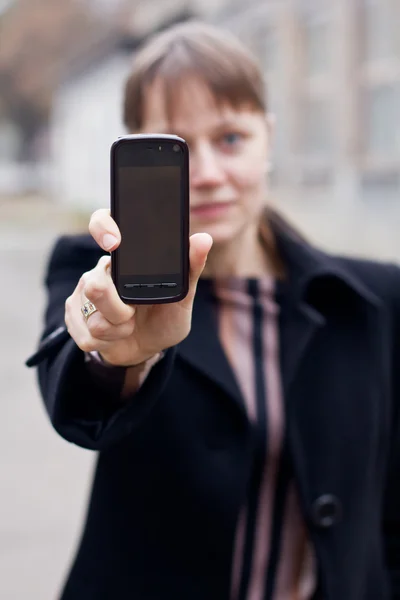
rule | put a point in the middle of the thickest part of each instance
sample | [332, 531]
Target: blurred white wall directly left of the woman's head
[85, 122]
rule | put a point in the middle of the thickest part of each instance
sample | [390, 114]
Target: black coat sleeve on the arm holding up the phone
[82, 409]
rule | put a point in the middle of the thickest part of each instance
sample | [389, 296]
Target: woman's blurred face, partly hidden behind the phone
[228, 158]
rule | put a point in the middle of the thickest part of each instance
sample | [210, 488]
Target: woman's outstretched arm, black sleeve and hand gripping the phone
[82, 409]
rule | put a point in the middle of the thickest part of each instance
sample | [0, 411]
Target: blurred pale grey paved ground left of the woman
[43, 479]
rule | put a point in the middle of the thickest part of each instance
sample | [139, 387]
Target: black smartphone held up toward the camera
[150, 204]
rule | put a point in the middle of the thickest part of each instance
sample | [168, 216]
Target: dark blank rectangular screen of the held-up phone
[149, 207]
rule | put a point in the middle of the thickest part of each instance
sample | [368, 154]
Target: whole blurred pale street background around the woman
[333, 76]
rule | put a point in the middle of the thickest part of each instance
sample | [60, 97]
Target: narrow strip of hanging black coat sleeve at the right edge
[391, 515]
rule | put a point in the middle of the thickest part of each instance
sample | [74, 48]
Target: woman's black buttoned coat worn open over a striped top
[175, 461]
